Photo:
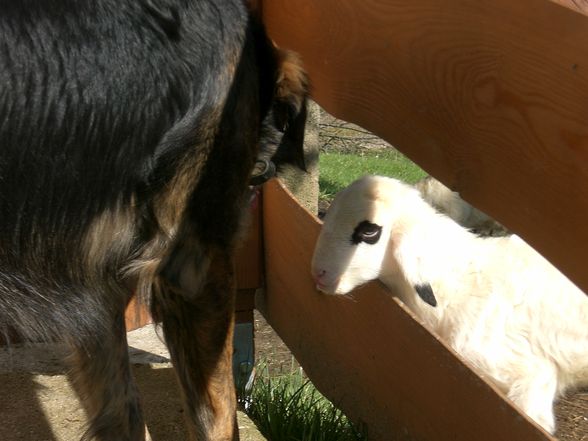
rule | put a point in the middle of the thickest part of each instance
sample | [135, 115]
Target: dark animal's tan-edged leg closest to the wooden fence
[198, 329]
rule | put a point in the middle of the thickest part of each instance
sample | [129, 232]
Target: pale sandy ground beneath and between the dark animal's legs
[38, 402]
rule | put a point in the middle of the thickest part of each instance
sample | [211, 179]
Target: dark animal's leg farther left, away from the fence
[102, 376]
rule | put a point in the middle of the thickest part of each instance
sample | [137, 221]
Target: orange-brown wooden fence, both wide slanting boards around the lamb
[489, 96]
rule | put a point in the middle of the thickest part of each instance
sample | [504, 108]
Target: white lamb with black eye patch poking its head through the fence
[500, 305]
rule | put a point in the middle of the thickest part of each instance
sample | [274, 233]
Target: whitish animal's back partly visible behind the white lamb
[449, 202]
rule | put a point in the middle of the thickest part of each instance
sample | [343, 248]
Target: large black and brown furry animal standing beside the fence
[128, 132]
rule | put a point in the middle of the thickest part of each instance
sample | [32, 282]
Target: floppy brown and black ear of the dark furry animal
[289, 108]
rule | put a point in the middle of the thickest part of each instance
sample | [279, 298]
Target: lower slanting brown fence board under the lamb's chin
[368, 354]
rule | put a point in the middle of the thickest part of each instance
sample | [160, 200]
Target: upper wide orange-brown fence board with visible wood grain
[489, 96]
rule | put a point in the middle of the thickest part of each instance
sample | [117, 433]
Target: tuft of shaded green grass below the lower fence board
[288, 408]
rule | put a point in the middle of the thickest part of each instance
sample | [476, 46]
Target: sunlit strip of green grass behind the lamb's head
[338, 170]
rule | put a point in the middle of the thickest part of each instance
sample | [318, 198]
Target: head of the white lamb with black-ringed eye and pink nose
[355, 238]
